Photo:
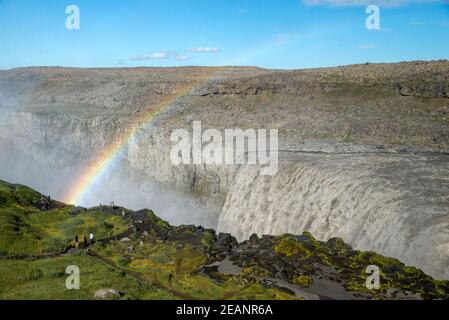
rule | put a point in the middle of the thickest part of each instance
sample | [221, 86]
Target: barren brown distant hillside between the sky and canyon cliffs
[399, 104]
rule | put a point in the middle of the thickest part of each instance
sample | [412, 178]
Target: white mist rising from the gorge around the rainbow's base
[122, 185]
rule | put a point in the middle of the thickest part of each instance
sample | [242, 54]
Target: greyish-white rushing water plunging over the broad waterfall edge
[395, 205]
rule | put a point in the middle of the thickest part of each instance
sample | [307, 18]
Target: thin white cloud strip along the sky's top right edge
[385, 3]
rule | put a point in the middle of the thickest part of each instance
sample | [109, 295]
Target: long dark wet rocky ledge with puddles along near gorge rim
[298, 264]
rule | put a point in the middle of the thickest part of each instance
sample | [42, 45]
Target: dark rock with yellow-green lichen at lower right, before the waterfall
[299, 260]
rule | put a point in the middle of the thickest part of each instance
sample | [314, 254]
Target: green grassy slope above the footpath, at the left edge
[26, 230]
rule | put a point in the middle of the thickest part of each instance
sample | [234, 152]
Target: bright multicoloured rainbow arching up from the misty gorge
[104, 161]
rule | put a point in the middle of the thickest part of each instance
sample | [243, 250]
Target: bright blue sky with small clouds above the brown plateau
[267, 33]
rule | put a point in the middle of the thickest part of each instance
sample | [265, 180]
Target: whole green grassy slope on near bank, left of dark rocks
[157, 271]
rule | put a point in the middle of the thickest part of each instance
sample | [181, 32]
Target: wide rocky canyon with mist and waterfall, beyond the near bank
[363, 149]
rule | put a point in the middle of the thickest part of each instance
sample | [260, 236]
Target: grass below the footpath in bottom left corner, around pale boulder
[45, 279]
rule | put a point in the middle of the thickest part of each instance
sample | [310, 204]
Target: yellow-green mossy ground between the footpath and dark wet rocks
[174, 269]
